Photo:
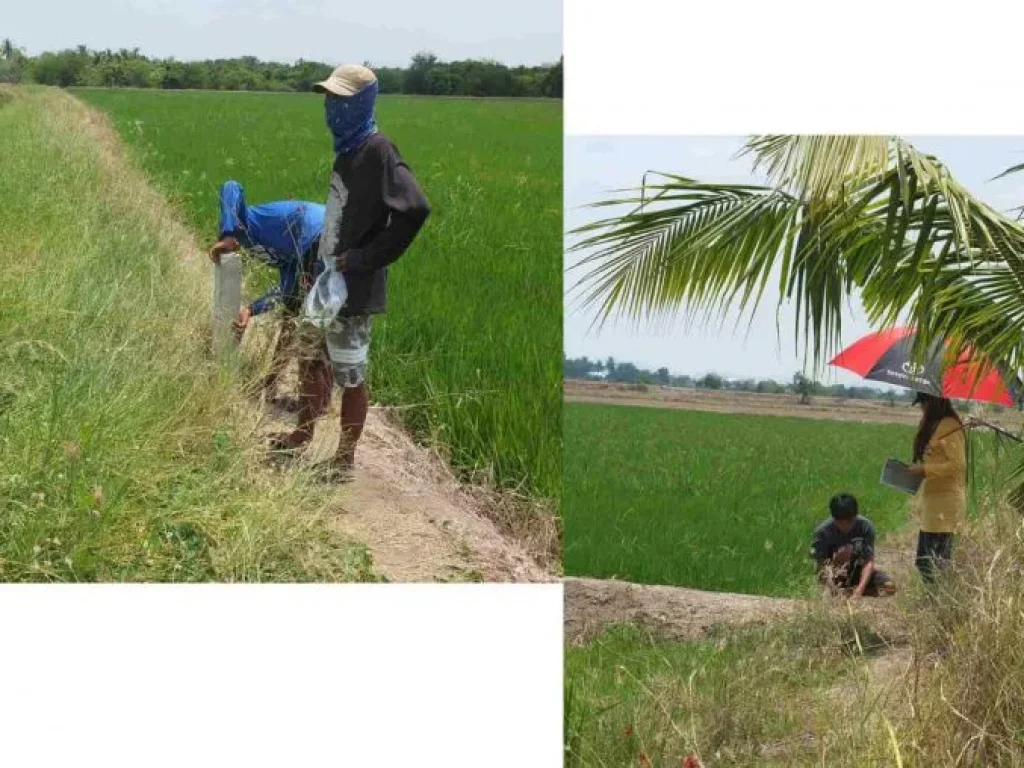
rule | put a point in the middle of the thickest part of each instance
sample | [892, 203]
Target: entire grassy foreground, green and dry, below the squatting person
[940, 682]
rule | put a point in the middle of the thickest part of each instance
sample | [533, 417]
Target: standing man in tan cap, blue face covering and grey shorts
[375, 209]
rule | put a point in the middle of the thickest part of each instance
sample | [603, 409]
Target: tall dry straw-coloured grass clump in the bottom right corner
[968, 706]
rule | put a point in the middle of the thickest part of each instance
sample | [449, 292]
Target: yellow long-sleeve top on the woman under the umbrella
[942, 500]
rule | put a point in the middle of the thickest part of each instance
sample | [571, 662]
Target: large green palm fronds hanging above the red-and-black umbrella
[904, 233]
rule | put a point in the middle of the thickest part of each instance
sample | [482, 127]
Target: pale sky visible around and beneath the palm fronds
[596, 165]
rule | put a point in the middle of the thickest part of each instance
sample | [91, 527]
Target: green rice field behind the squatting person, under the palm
[722, 502]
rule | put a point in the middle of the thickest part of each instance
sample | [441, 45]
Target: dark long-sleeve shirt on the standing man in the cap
[375, 209]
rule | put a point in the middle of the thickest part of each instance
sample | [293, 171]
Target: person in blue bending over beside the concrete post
[285, 235]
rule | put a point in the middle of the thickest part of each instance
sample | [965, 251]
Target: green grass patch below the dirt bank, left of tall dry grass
[636, 701]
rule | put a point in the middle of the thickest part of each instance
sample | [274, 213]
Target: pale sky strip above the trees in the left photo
[528, 32]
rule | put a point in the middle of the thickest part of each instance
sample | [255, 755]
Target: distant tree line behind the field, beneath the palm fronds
[627, 373]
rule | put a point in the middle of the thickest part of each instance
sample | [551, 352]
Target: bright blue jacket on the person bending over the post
[281, 234]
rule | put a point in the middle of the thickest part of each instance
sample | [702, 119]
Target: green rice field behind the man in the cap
[472, 345]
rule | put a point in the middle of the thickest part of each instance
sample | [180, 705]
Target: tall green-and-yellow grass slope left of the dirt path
[121, 454]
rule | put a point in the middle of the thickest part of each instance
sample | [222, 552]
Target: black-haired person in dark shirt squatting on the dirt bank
[844, 552]
